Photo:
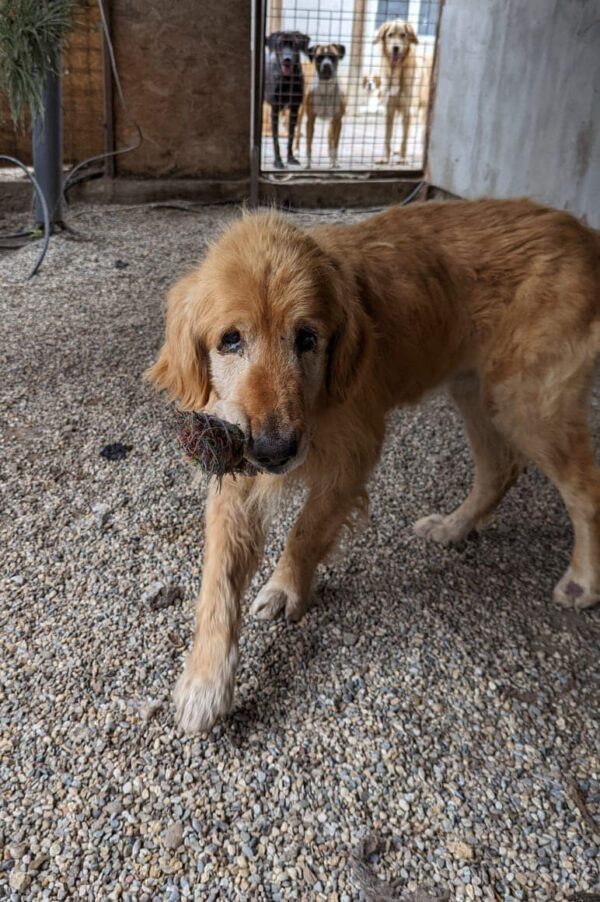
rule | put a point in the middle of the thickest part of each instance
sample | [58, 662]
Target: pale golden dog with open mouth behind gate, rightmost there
[406, 79]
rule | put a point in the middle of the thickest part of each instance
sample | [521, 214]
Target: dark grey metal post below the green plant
[47, 151]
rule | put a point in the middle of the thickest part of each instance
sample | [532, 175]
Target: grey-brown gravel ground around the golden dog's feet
[429, 731]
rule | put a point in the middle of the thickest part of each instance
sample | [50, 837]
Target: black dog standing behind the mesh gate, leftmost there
[284, 85]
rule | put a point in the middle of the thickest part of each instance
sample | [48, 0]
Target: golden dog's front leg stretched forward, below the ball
[234, 541]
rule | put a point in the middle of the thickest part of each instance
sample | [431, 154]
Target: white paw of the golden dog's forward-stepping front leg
[200, 700]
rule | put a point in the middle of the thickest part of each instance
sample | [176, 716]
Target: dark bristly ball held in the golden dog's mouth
[215, 445]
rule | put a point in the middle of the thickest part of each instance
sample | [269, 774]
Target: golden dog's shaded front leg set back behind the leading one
[309, 541]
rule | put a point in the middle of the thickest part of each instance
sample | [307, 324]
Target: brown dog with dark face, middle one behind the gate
[324, 99]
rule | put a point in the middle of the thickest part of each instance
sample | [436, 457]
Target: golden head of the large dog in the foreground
[267, 334]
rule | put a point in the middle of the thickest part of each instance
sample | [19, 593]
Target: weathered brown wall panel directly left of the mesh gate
[185, 71]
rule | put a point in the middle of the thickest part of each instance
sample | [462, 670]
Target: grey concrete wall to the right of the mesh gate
[517, 109]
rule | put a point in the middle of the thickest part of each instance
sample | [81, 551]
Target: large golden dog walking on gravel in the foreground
[307, 339]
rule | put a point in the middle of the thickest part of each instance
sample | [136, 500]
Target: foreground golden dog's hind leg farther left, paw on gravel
[497, 466]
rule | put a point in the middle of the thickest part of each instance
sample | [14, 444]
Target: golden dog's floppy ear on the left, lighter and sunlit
[181, 368]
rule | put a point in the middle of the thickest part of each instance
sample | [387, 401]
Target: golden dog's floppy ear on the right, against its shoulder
[349, 348]
